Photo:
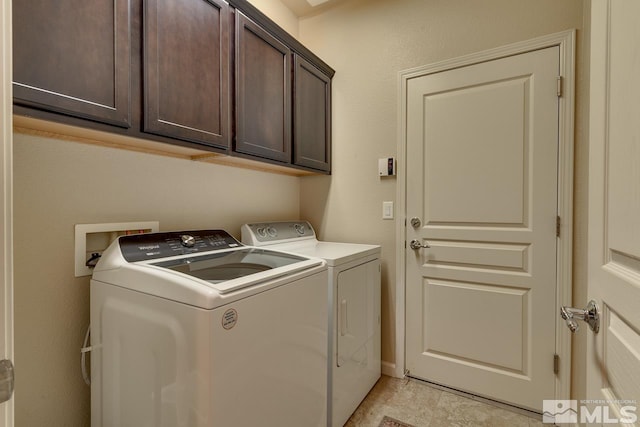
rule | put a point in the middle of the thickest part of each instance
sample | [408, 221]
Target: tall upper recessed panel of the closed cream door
[458, 120]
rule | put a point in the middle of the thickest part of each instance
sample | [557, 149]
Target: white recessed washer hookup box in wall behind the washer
[95, 238]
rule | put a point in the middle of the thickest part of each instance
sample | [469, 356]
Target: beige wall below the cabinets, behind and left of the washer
[59, 184]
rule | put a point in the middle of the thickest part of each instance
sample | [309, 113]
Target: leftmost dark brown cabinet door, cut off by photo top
[73, 57]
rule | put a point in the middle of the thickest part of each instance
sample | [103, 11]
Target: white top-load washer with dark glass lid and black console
[195, 329]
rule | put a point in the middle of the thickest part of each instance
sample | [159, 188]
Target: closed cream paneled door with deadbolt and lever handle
[482, 154]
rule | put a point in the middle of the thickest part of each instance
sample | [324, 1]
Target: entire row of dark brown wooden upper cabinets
[208, 75]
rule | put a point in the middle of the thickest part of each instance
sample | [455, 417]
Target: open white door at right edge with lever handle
[613, 371]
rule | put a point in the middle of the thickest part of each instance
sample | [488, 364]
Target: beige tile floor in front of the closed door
[422, 405]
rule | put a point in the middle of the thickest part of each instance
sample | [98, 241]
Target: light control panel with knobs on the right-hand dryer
[276, 232]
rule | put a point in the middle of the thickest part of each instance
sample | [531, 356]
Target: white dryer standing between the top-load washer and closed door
[354, 304]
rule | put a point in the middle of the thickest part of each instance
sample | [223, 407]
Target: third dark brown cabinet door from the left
[263, 93]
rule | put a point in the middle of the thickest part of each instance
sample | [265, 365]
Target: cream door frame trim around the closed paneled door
[565, 40]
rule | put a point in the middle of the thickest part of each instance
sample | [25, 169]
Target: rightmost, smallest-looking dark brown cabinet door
[312, 117]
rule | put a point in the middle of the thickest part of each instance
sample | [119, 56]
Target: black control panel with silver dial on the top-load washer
[142, 247]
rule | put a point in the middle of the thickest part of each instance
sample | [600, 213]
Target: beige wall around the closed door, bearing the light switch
[368, 42]
